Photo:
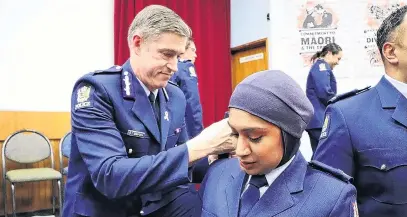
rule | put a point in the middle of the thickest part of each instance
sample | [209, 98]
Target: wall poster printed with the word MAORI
[317, 25]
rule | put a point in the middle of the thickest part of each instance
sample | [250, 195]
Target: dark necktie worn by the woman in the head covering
[252, 194]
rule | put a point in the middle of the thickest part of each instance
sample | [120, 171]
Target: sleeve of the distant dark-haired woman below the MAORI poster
[322, 78]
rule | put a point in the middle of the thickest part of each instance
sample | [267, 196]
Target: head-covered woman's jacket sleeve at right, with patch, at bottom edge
[346, 205]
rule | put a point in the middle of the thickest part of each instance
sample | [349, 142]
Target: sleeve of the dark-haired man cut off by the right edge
[335, 146]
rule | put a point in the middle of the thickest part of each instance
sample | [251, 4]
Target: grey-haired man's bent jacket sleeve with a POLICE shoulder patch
[102, 149]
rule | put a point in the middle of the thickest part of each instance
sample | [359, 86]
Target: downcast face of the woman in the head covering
[259, 143]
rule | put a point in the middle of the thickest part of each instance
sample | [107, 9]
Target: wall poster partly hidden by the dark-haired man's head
[376, 11]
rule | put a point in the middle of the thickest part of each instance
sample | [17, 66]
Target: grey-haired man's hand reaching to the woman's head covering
[215, 139]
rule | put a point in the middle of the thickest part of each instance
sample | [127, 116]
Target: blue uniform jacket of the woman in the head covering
[302, 189]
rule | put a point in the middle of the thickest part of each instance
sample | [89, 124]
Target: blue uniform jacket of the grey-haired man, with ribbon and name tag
[122, 161]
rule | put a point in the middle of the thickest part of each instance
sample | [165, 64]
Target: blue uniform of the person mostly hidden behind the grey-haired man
[187, 80]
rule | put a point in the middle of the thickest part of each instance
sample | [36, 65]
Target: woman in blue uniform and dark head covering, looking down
[270, 177]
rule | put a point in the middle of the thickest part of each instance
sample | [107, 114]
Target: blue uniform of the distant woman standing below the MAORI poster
[321, 87]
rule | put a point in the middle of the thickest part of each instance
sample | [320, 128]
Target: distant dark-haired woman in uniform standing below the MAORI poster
[321, 87]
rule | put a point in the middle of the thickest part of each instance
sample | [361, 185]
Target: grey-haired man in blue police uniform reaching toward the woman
[129, 156]
